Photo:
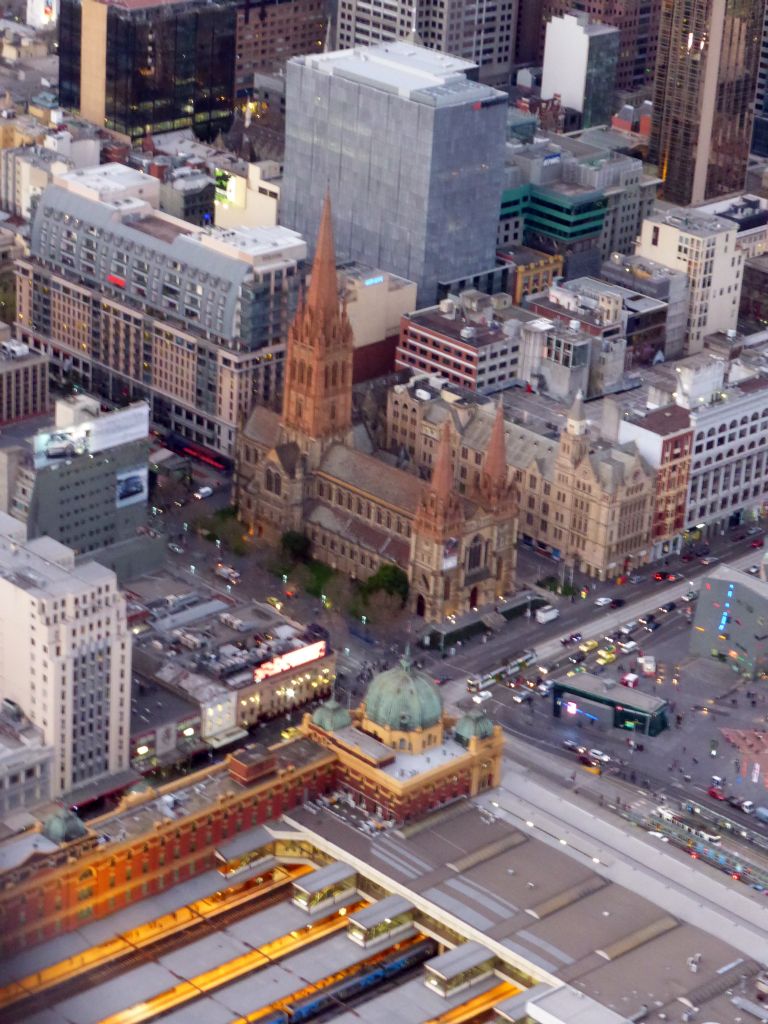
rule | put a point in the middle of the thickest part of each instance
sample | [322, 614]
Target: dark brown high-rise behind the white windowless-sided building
[637, 22]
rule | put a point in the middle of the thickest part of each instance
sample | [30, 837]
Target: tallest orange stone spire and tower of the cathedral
[318, 391]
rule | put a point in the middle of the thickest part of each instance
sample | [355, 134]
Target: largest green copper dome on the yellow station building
[404, 699]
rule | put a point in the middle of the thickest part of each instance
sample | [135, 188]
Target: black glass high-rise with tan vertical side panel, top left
[139, 67]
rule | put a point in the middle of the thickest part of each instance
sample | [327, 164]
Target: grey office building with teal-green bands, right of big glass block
[575, 200]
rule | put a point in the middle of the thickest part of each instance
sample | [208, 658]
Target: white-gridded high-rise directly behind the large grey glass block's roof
[474, 30]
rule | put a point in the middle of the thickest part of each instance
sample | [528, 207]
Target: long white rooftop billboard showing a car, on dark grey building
[92, 437]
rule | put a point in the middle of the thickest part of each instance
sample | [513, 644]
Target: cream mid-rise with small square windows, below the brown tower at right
[705, 248]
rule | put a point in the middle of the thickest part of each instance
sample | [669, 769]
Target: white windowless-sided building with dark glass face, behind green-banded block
[581, 58]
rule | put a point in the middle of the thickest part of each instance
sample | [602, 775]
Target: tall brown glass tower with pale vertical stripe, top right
[705, 86]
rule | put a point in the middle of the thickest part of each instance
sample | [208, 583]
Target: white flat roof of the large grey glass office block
[413, 72]
